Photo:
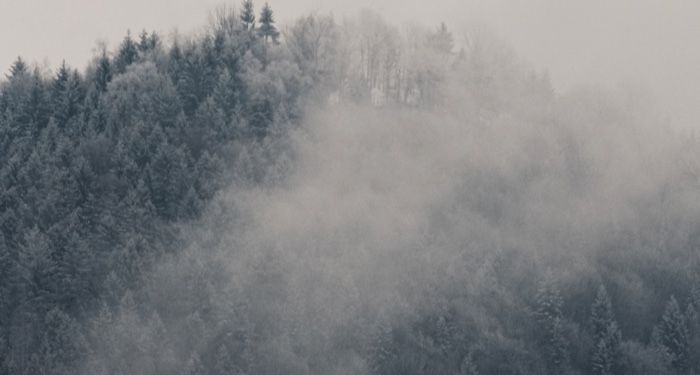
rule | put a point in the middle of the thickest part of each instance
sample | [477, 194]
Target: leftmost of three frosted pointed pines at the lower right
[551, 322]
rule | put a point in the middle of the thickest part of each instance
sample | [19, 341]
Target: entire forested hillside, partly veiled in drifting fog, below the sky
[333, 197]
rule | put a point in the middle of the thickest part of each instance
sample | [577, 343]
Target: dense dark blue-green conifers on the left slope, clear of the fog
[96, 166]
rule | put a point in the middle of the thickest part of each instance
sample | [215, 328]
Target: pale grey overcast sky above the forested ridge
[655, 43]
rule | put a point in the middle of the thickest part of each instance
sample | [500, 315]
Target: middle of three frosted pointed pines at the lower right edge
[607, 336]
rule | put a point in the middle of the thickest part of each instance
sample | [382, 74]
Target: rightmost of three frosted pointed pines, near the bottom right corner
[672, 335]
